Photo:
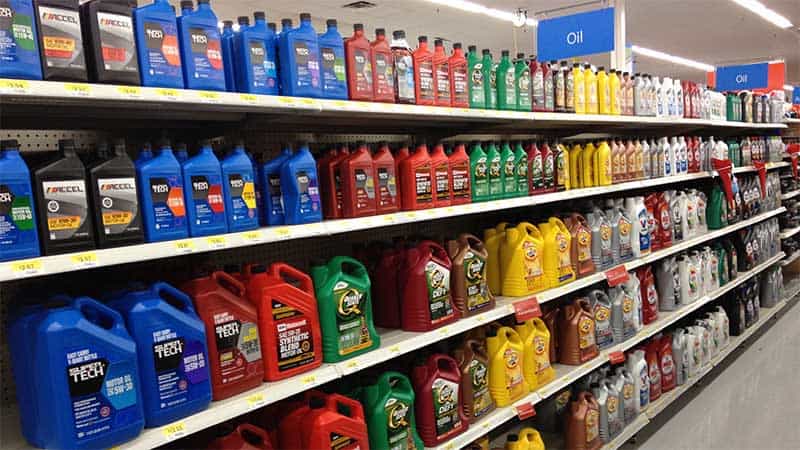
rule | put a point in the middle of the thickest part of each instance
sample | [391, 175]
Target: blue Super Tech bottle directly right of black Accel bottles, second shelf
[162, 199]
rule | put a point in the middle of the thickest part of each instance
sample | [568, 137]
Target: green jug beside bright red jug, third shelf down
[342, 288]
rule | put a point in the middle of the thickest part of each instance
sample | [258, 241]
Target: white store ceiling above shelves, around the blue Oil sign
[710, 31]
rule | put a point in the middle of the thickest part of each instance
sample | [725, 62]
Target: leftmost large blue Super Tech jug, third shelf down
[87, 386]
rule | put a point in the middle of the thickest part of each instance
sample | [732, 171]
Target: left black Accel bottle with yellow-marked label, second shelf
[65, 224]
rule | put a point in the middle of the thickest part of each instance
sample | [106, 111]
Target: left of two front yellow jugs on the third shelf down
[521, 261]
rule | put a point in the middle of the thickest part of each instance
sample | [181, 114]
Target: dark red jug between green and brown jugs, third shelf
[425, 277]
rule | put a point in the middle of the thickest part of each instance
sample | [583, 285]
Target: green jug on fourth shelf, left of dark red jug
[389, 410]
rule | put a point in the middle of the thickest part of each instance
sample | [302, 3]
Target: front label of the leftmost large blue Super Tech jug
[100, 391]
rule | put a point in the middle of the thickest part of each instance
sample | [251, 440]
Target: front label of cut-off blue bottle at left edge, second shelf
[16, 215]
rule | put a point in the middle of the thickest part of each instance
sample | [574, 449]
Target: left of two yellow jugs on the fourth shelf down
[506, 379]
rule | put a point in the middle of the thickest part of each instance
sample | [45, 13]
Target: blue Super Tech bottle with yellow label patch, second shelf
[238, 180]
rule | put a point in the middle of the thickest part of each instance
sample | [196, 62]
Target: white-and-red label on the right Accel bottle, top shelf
[117, 41]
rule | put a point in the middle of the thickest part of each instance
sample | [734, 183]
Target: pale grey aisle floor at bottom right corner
[752, 404]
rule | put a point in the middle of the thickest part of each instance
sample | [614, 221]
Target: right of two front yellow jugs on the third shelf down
[557, 259]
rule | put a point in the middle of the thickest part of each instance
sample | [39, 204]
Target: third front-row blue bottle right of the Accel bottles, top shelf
[257, 70]
